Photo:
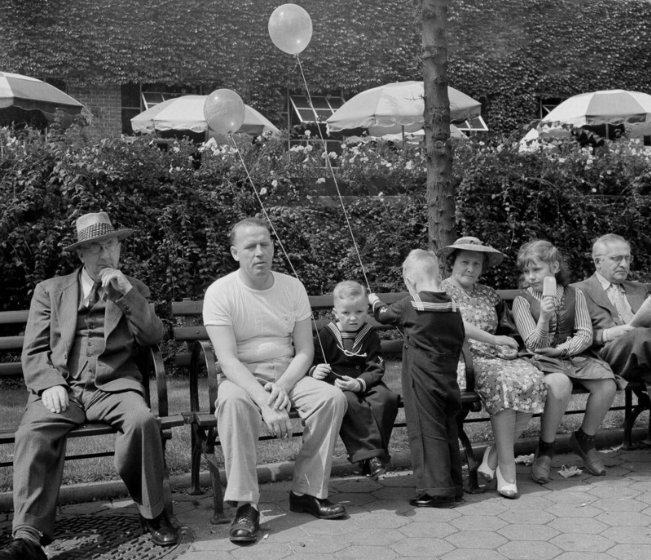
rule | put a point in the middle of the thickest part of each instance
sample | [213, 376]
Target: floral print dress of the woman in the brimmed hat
[501, 384]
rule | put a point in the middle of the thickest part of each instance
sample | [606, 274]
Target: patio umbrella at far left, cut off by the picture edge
[31, 94]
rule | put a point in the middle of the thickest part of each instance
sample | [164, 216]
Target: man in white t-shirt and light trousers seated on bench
[259, 323]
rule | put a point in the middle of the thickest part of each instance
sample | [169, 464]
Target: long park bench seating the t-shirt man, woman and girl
[198, 356]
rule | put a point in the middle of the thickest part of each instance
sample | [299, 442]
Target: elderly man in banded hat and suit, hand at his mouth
[78, 367]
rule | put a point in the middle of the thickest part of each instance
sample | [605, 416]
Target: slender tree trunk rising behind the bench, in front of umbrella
[440, 188]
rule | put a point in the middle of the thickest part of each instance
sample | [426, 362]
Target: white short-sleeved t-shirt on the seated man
[262, 320]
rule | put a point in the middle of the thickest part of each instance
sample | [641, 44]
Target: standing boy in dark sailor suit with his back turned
[434, 334]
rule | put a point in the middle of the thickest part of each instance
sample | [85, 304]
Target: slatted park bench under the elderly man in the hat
[150, 363]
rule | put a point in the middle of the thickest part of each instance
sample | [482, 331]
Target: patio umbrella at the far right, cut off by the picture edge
[605, 109]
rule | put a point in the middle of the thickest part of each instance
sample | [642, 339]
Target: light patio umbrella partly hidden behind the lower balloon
[186, 113]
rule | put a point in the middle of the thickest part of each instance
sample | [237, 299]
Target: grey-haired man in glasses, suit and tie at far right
[612, 302]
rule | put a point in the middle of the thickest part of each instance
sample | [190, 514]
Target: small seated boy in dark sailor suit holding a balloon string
[348, 355]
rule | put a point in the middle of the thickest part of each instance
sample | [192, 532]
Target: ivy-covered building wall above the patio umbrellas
[502, 52]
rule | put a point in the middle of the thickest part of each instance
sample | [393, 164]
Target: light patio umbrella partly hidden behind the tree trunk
[393, 107]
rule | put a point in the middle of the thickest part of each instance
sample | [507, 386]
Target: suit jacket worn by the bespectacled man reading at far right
[602, 312]
